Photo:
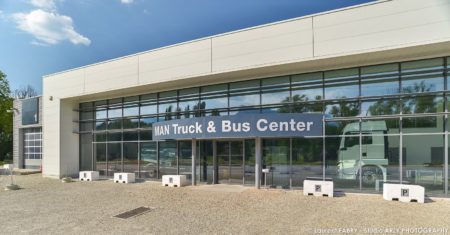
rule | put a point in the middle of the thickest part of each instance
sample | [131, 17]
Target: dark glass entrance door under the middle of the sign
[230, 156]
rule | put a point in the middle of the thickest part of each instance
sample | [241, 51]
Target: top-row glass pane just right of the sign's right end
[341, 84]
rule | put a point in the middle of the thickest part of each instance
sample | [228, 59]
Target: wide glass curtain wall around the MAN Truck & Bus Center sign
[373, 114]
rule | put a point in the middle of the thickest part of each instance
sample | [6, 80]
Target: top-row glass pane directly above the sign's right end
[307, 87]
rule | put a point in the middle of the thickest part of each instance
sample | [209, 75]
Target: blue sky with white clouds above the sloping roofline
[40, 37]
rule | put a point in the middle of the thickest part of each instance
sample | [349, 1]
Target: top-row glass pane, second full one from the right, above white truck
[380, 80]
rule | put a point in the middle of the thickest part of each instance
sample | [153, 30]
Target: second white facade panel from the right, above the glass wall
[266, 45]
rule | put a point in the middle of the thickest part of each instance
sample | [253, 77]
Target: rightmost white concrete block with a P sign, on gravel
[404, 192]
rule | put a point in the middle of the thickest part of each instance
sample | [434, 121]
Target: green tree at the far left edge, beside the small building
[6, 119]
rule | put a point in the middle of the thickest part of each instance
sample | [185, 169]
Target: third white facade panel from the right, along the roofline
[173, 62]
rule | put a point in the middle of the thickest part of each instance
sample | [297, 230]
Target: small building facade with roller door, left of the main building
[27, 133]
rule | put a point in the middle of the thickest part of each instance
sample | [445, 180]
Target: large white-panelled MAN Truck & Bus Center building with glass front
[372, 79]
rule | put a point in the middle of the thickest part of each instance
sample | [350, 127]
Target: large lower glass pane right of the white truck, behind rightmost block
[424, 162]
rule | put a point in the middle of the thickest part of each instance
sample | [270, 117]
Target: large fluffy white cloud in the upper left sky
[49, 28]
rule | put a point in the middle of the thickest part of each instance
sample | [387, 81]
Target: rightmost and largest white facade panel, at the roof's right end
[381, 26]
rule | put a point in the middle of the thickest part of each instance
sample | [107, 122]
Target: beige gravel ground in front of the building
[47, 206]
